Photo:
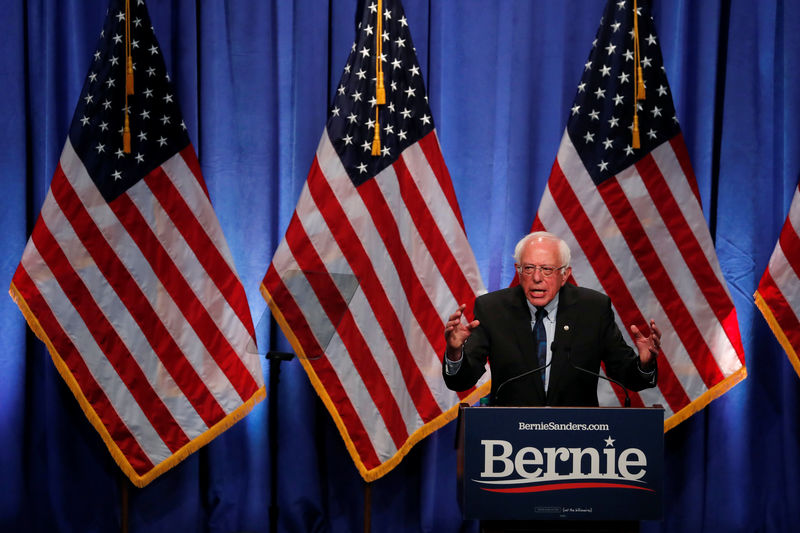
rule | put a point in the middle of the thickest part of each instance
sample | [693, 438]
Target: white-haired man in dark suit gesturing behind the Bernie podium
[547, 324]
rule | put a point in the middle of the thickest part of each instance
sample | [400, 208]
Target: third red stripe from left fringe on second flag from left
[383, 310]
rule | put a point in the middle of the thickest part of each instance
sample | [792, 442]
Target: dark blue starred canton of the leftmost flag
[157, 129]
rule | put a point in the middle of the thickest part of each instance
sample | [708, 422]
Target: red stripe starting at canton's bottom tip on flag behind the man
[659, 281]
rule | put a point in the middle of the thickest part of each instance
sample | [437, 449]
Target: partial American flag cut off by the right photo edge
[778, 294]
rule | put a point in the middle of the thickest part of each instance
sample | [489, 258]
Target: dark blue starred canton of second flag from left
[403, 120]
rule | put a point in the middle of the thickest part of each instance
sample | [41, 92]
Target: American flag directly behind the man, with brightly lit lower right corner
[633, 219]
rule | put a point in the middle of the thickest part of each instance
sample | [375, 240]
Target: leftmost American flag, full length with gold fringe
[127, 277]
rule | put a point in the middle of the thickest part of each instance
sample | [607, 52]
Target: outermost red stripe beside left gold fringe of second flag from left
[322, 368]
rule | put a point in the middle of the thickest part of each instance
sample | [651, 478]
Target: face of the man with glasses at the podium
[540, 289]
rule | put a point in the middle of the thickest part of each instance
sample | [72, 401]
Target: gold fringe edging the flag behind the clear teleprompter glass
[386, 466]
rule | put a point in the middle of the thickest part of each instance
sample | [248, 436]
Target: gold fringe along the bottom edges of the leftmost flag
[181, 454]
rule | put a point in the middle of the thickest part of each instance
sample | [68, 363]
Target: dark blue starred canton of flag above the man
[601, 119]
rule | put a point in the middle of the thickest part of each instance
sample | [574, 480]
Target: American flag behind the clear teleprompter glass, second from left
[375, 256]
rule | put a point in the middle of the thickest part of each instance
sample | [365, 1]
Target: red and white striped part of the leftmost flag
[142, 308]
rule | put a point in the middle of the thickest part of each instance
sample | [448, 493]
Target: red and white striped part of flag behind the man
[640, 237]
